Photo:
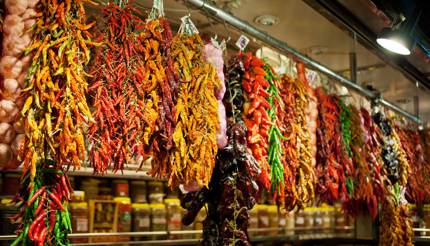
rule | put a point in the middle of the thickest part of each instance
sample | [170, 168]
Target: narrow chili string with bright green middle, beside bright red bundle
[275, 151]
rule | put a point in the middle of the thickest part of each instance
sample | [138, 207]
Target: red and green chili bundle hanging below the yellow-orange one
[43, 217]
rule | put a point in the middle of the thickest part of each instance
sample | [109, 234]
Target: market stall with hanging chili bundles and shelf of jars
[122, 131]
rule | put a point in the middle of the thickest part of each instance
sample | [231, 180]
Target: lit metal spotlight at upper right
[399, 38]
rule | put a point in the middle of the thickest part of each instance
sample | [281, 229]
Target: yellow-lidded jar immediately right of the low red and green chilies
[79, 219]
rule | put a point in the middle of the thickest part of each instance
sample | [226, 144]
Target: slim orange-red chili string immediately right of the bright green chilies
[287, 117]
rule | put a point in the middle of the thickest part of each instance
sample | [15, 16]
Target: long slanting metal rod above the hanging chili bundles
[282, 46]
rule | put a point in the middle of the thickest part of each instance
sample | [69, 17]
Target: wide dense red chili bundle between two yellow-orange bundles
[125, 102]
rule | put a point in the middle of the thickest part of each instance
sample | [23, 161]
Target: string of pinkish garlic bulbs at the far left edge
[16, 36]
